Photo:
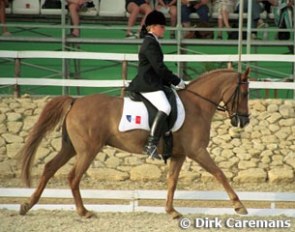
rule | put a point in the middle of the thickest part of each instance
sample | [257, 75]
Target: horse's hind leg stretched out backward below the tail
[67, 151]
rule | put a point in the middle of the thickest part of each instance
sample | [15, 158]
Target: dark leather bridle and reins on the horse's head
[234, 98]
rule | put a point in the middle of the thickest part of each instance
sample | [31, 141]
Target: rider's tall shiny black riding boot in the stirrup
[155, 134]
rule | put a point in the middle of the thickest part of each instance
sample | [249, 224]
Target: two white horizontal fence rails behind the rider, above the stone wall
[18, 55]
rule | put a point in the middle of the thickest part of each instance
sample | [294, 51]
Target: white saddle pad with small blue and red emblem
[135, 116]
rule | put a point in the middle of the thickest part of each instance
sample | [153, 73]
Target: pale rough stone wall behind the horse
[262, 152]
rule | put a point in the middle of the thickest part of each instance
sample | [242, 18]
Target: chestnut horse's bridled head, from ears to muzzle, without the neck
[237, 104]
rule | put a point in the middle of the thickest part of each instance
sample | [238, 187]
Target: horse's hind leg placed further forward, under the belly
[83, 162]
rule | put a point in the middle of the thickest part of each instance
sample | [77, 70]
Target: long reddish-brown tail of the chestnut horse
[53, 113]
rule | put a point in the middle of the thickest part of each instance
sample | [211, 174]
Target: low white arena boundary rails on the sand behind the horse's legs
[134, 196]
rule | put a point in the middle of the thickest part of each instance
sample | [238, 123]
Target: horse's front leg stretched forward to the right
[204, 159]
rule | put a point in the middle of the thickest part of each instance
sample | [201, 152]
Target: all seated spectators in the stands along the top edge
[281, 9]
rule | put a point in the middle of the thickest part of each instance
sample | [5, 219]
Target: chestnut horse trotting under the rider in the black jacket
[91, 122]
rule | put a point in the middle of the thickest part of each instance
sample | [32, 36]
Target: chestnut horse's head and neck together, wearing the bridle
[233, 92]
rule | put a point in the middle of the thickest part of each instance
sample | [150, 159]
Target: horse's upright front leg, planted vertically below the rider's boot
[172, 178]
